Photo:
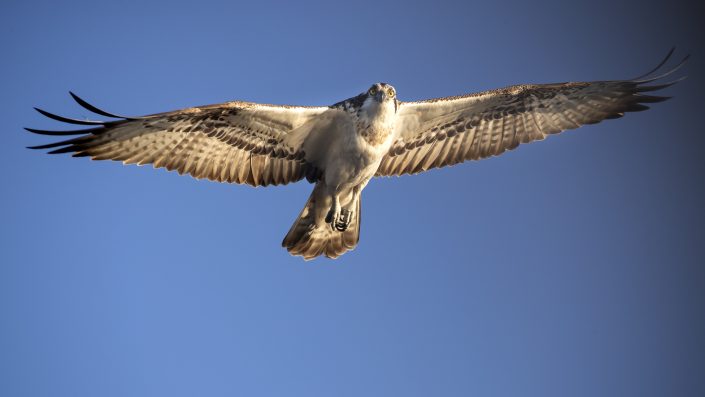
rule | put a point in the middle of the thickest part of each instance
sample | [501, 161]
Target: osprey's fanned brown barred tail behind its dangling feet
[310, 236]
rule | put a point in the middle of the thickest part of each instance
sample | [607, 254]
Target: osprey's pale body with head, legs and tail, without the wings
[330, 221]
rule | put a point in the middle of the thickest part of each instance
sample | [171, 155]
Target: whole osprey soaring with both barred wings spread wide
[342, 146]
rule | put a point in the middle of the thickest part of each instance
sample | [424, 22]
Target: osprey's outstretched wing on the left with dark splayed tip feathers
[235, 142]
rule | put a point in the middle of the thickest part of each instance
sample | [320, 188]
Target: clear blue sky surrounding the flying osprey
[569, 267]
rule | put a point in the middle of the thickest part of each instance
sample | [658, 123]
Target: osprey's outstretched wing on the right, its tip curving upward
[447, 131]
